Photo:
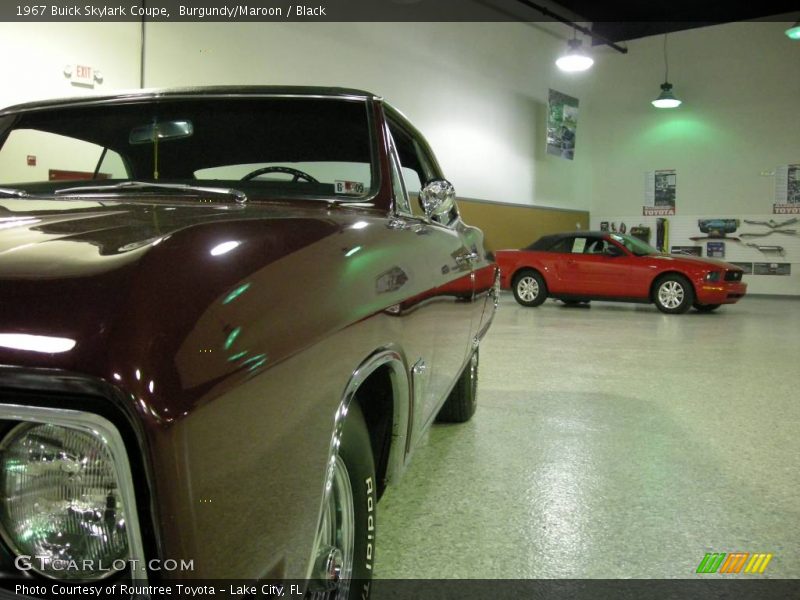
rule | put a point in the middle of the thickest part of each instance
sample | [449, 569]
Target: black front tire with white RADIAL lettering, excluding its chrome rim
[357, 465]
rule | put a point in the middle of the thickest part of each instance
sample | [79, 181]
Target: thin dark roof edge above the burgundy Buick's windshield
[193, 92]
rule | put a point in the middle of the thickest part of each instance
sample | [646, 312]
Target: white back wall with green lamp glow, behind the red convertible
[740, 84]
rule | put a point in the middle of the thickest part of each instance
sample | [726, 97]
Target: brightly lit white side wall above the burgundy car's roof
[478, 91]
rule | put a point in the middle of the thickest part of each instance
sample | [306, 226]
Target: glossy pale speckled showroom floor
[611, 442]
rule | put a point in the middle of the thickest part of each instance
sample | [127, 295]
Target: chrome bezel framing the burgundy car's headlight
[100, 427]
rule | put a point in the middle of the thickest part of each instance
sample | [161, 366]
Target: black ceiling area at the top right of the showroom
[622, 20]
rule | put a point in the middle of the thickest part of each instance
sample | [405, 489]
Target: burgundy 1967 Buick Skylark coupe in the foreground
[224, 325]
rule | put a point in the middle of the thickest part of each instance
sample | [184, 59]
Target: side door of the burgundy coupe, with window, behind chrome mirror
[446, 306]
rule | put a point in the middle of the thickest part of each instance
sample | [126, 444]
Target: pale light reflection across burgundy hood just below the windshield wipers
[62, 238]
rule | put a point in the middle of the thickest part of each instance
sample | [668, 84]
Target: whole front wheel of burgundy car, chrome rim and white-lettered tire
[345, 544]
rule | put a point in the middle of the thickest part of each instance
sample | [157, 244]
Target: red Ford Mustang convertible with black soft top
[582, 266]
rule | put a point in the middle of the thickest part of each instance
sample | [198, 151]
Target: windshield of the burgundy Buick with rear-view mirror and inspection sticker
[264, 146]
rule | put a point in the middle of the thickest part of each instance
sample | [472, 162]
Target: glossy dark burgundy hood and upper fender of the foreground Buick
[115, 279]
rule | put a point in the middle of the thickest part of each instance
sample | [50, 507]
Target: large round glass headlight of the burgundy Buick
[60, 502]
